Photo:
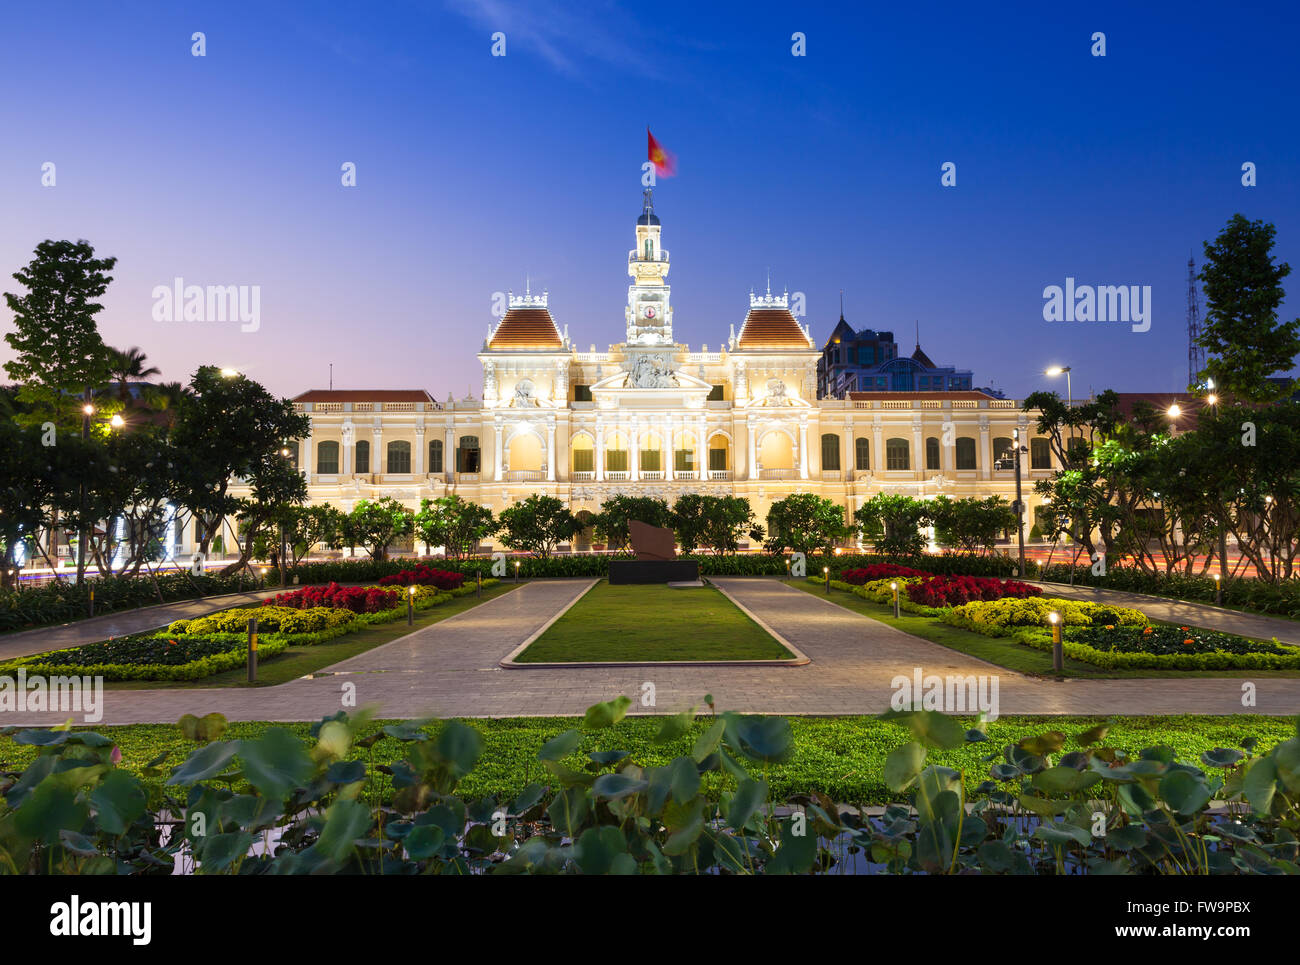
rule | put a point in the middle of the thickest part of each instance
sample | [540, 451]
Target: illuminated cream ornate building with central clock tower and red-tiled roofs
[652, 417]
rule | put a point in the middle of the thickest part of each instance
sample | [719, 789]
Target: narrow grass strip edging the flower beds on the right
[1003, 651]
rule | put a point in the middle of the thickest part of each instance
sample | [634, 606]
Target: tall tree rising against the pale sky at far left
[59, 354]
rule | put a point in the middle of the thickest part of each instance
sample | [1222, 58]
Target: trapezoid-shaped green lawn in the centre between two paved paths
[653, 624]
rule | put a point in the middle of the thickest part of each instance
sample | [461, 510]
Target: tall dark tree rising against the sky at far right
[1242, 334]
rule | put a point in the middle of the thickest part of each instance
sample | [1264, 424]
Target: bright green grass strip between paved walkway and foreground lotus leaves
[840, 756]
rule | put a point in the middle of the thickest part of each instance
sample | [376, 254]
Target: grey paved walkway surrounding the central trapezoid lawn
[450, 669]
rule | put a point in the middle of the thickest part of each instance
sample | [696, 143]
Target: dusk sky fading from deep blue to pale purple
[475, 171]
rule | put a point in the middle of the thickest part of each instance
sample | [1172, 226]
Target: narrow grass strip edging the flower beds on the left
[301, 661]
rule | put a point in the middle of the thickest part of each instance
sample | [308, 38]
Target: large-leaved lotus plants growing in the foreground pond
[606, 813]
